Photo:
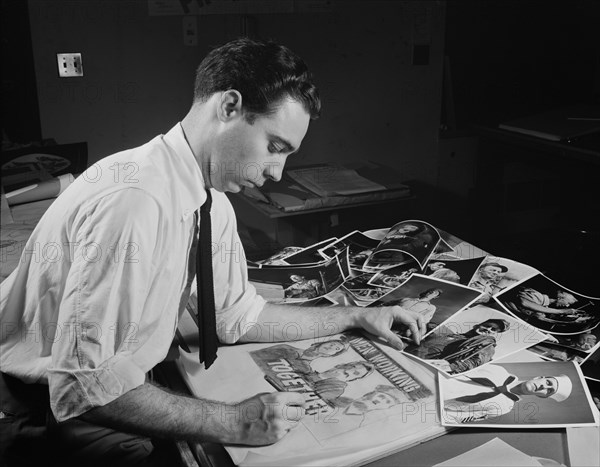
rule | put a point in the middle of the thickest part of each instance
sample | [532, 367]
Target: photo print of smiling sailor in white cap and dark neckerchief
[522, 394]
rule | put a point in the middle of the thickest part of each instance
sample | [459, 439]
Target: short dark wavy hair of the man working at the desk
[264, 73]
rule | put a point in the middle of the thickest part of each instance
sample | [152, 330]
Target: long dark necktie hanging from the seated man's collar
[207, 327]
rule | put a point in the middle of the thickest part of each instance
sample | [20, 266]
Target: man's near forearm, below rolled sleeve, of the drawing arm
[151, 411]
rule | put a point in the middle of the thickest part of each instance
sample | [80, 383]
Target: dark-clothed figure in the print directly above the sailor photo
[463, 351]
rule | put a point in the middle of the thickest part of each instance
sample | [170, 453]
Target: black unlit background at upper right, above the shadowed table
[513, 58]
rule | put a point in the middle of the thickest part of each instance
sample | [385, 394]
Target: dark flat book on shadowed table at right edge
[557, 125]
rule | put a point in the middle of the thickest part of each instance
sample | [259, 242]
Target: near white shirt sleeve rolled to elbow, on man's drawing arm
[102, 308]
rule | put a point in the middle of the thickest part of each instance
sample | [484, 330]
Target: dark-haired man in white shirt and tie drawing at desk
[86, 328]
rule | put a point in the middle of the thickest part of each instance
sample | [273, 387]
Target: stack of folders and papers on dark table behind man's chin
[325, 185]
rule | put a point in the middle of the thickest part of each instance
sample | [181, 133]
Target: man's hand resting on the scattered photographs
[379, 321]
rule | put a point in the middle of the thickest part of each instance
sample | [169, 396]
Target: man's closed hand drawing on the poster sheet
[266, 418]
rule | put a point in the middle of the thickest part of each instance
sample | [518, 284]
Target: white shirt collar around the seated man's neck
[190, 183]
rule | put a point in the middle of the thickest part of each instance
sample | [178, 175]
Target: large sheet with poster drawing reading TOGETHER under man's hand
[365, 399]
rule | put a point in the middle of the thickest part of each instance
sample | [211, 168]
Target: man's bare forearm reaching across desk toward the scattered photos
[278, 323]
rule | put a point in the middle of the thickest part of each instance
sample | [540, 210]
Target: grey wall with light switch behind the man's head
[138, 74]
